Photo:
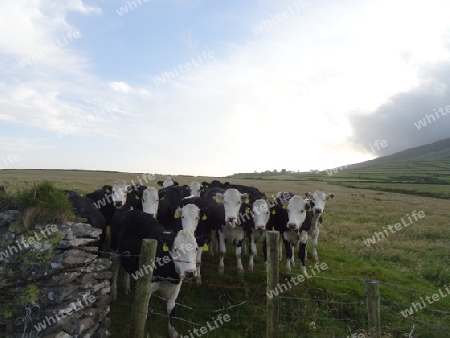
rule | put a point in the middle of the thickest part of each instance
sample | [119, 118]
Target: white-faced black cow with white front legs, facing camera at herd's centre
[227, 208]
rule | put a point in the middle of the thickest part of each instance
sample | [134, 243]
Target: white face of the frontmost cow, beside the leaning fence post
[184, 253]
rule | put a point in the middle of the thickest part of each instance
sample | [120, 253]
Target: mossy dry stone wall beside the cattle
[52, 283]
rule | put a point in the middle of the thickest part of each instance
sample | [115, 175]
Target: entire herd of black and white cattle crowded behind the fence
[185, 219]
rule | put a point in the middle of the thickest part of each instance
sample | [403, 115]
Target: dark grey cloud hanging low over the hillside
[397, 120]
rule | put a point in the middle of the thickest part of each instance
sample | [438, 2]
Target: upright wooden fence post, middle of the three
[272, 238]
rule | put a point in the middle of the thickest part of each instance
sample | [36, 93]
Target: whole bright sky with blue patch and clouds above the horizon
[212, 88]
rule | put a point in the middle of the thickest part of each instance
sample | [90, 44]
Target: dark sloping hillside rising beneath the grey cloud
[437, 151]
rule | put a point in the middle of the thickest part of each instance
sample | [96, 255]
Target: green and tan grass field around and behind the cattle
[413, 263]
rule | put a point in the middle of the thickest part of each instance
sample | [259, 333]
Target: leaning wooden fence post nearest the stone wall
[143, 287]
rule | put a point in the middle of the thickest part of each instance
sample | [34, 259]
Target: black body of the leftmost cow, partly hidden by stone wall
[84, 207]
